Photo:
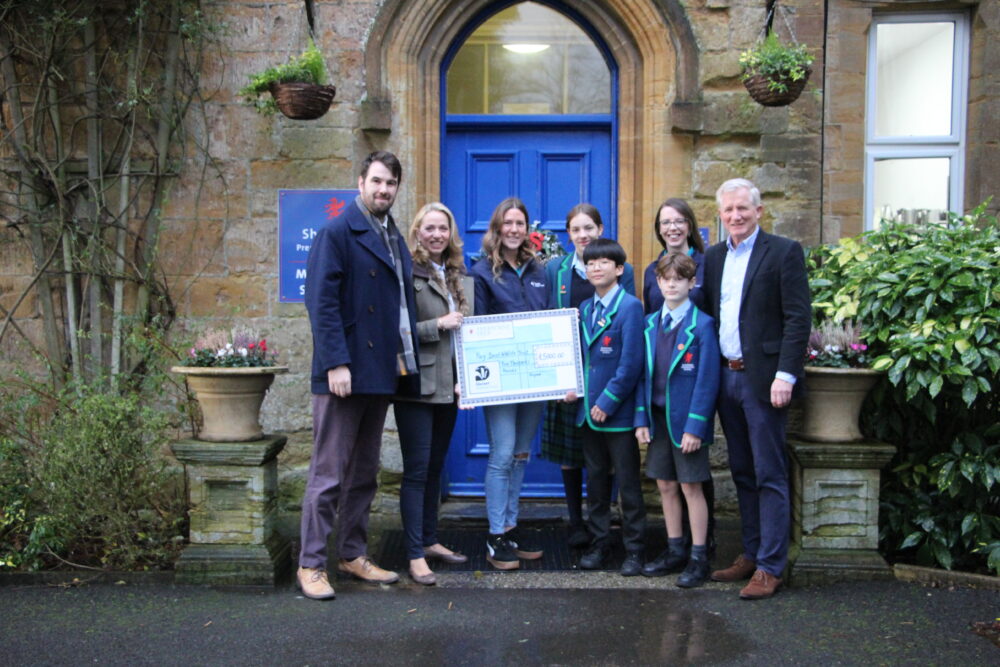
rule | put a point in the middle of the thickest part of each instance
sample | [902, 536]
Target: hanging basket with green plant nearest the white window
[775, 73]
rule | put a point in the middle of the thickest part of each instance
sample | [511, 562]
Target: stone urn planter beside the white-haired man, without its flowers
[833, 403]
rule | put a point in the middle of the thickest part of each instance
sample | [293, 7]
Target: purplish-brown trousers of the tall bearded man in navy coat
[343, 471]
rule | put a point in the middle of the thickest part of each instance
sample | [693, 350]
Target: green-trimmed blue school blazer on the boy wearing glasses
[612, 362]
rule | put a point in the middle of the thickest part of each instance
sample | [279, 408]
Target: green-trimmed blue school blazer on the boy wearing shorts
[692, 376]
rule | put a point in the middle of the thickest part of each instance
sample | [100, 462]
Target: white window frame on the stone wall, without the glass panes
[932, 146]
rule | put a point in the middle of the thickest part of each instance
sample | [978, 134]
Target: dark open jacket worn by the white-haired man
[775, 311]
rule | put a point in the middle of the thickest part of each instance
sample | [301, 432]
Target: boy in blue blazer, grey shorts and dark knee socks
[680, 388]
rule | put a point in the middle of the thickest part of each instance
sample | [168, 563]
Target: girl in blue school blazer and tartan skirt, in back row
[569, 288]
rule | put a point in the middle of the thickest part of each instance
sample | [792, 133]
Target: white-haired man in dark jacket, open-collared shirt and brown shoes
[757, 290]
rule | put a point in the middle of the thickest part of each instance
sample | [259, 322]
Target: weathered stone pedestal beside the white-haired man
[835, 491]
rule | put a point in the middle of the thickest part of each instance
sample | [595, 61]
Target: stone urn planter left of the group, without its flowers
[230, 399]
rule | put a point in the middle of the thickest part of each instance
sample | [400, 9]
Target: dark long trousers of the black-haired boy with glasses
[604, 451]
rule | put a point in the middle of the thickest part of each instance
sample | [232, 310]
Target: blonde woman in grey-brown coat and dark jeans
[444, 296]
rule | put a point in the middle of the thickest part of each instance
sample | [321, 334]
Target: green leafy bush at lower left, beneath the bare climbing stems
[84, 481]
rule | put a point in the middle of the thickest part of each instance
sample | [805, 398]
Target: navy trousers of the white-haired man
[755, 435]
